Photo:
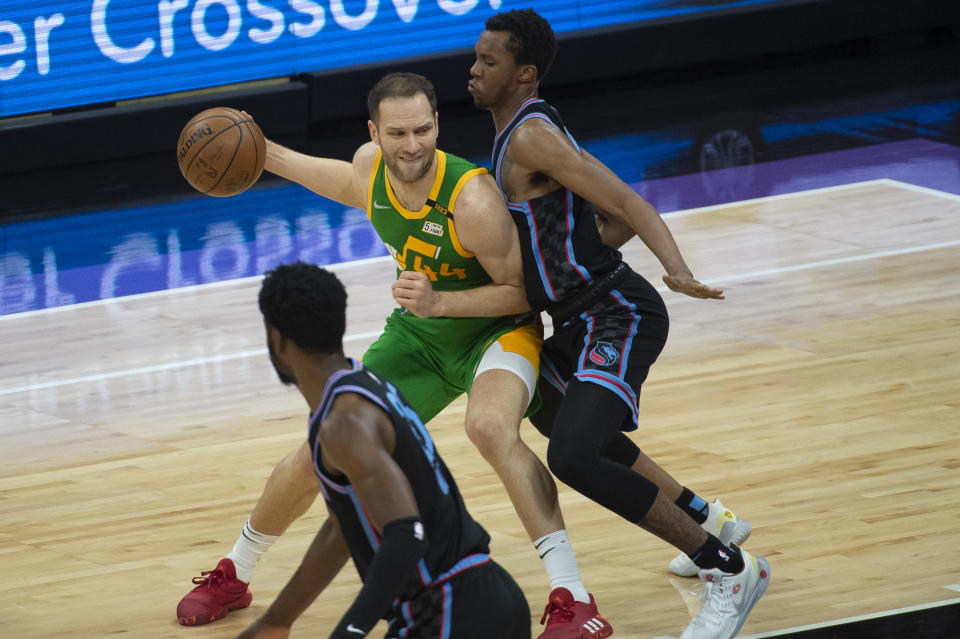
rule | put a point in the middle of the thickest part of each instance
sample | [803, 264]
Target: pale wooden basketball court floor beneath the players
[820, 401]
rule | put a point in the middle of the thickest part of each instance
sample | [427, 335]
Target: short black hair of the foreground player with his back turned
[307, 304]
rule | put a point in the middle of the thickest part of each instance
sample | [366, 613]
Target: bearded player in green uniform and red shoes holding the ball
[444, 218]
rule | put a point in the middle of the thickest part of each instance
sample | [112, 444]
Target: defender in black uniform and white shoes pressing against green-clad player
[610, 324]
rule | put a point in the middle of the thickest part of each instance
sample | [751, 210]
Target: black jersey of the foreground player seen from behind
[457, 542]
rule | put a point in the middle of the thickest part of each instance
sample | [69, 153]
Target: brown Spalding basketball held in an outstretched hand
[221, 152]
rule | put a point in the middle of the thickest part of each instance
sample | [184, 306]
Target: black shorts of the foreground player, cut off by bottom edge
[479, 603]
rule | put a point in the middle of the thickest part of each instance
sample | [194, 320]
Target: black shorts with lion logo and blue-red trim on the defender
[613, 342]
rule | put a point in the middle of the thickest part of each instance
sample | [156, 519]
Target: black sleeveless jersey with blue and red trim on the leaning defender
[561, 246]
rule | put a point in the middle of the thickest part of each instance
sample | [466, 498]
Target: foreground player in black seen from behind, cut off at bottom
[394, 507]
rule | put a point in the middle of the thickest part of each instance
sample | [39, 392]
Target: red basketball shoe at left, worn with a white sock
[219, 591]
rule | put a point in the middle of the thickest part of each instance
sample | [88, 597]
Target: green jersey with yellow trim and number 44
[426, 240]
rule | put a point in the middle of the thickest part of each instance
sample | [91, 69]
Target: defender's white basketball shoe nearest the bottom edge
[728, 599]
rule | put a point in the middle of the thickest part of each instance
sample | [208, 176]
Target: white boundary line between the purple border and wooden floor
[383, 258]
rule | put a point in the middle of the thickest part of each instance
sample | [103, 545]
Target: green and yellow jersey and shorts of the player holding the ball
[448, 349]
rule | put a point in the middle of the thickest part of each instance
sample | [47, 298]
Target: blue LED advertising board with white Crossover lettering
[62, 53]
